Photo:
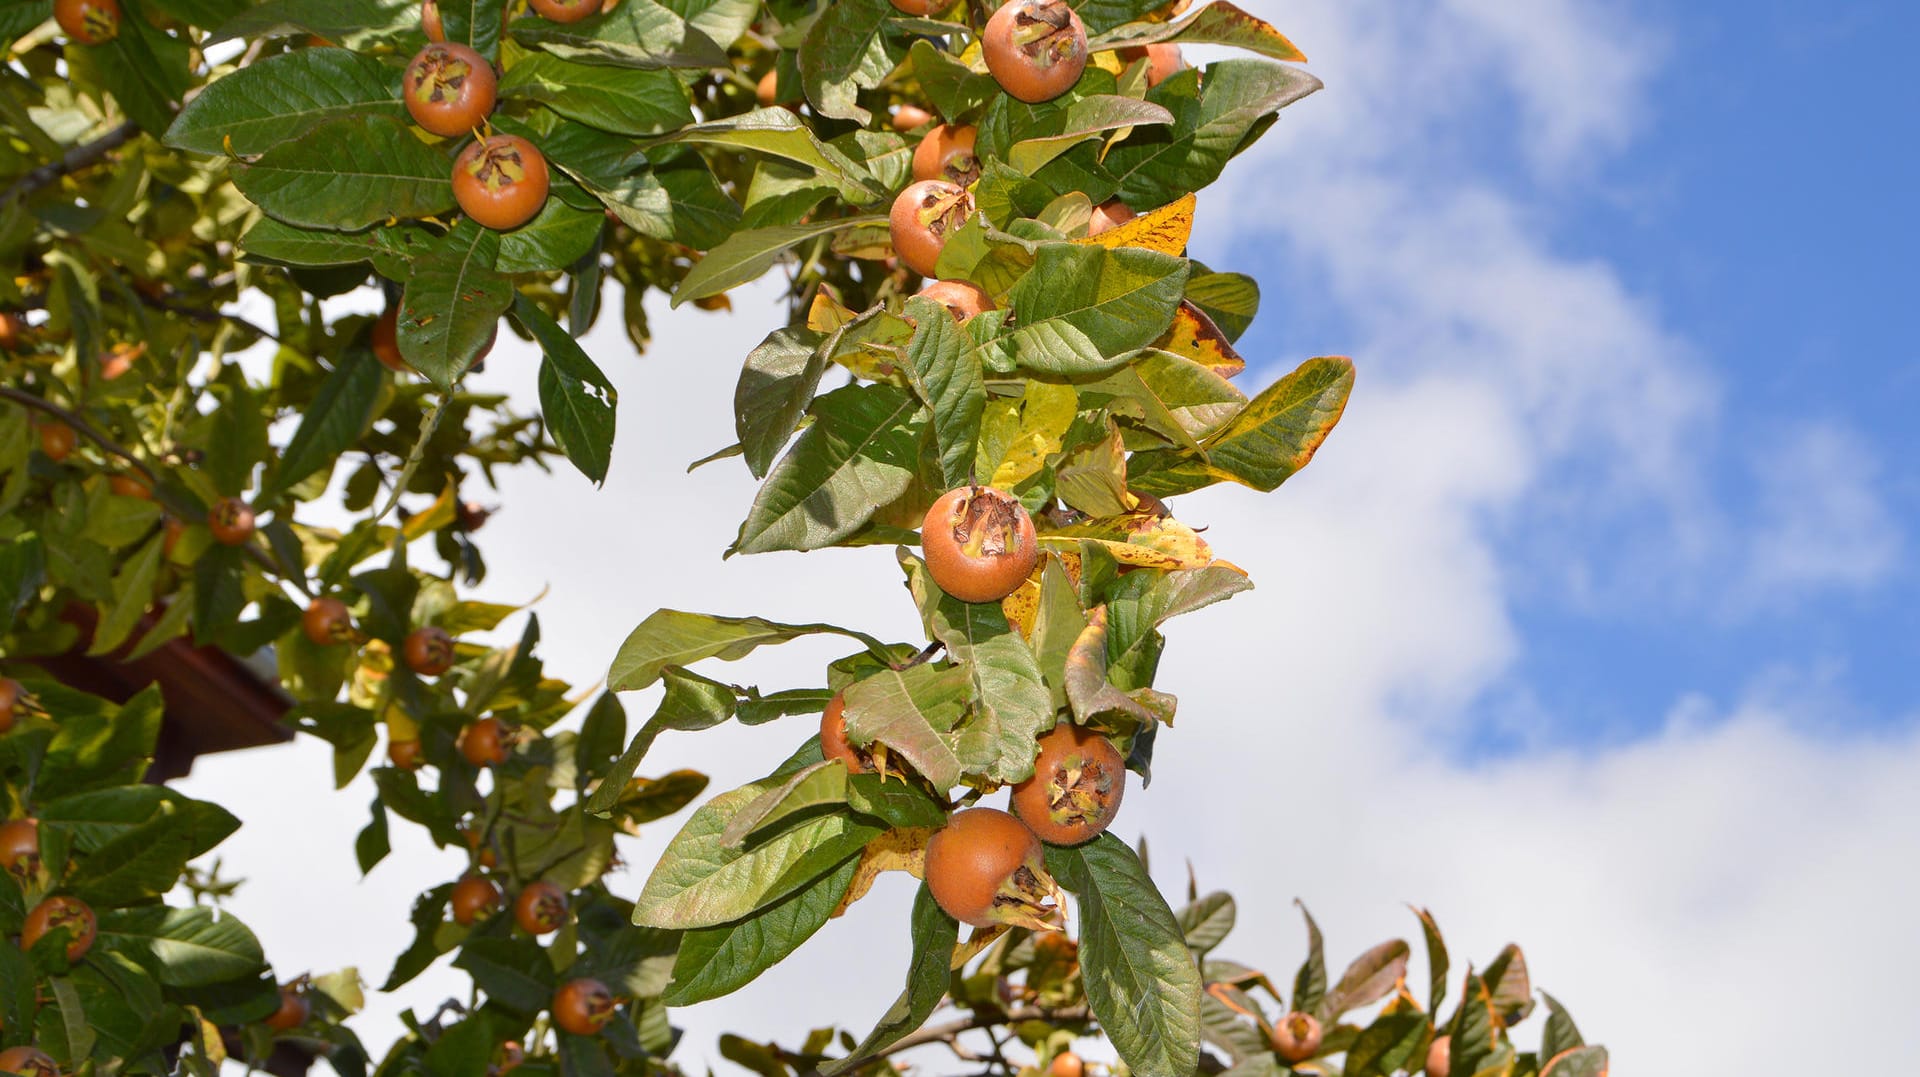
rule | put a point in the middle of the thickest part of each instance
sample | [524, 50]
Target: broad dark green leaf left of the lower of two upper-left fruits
[350, 174]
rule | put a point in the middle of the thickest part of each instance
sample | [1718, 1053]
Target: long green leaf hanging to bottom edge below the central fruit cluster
[1141, 980]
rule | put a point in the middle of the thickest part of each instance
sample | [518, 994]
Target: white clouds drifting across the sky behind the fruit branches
[1662, 888]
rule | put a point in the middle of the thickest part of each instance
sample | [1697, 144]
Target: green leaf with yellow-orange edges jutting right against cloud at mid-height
[1274, 437]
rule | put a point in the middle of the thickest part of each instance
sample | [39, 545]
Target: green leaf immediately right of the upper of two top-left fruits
[610, 99]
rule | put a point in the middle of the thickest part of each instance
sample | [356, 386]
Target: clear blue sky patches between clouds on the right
[1764, 212]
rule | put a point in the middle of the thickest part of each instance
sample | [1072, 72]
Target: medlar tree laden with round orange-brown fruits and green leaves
[982, 218]
